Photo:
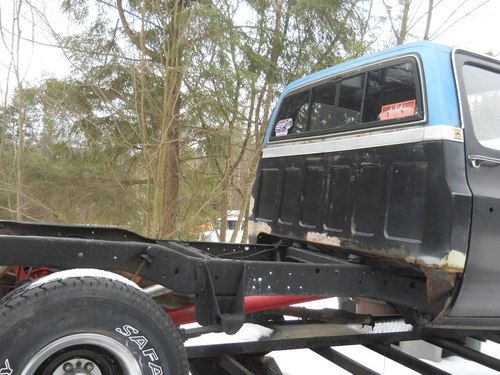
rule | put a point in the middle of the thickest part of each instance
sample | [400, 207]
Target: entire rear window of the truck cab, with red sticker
[389, 94]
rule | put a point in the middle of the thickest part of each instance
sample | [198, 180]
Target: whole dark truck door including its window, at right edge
[479, 90]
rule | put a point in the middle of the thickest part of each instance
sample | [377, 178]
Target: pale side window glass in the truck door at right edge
[483, 95]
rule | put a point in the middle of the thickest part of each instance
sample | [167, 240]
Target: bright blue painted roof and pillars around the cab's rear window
[439, 82]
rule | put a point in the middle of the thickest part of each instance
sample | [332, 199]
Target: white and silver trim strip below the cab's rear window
[366, 140]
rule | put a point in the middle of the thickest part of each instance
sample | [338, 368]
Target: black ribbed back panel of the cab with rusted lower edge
[408, 201]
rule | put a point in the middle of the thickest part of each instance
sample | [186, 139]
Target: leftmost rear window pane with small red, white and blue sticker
[292, 117]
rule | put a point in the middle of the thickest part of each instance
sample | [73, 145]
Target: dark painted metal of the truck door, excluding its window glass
[479, 290]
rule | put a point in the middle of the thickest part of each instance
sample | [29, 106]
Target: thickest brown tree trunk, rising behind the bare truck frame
[164, 160]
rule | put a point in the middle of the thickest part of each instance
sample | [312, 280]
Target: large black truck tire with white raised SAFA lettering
[106, 325]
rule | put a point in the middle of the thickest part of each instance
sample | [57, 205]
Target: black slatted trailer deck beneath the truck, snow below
[322, 338]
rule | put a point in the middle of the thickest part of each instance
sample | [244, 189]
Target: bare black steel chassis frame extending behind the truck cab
[218, 275]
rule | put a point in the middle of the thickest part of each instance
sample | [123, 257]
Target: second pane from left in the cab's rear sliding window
[322, 107]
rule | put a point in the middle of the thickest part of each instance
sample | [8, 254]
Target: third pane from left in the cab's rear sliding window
[350, 98]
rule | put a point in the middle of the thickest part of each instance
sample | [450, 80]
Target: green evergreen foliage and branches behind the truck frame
[94, 137]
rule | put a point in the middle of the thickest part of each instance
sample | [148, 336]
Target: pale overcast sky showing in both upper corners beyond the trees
[478, 31]
